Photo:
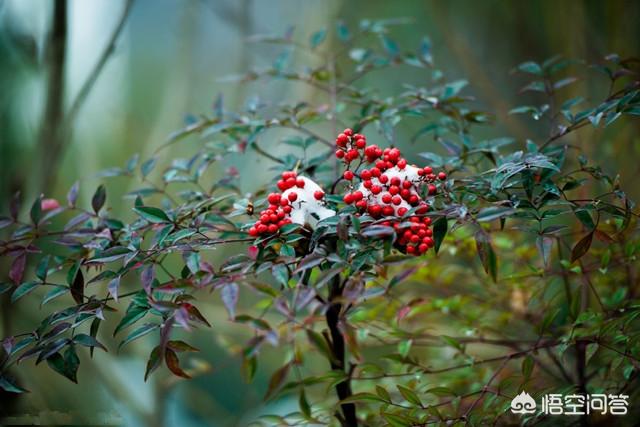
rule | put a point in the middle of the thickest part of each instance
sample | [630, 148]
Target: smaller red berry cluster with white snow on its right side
[301, 202]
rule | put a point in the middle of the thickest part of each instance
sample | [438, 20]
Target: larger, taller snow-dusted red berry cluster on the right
[388, 189]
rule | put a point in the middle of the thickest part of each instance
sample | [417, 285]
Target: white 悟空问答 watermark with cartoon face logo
[572, 404]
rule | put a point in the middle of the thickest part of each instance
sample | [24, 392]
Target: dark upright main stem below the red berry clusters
[343, 389]
